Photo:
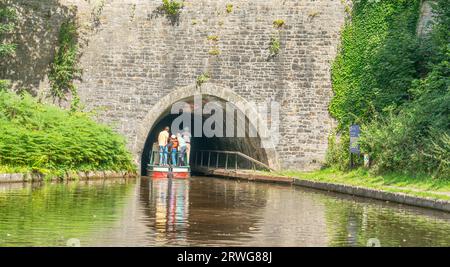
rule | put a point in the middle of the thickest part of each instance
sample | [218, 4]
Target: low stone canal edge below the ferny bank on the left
[33, 177]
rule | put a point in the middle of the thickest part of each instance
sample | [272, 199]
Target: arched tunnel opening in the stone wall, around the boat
[232, 130]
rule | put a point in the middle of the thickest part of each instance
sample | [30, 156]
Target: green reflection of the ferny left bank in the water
[50, 215]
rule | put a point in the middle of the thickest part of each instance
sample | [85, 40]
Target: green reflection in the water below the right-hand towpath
[353, 224]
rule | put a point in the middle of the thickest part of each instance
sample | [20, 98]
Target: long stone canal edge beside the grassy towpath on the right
[339, 188]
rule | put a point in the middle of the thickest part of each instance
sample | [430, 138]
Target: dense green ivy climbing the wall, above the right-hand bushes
[376, 62]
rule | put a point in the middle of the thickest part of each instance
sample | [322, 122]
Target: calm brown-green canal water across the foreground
[205, 211]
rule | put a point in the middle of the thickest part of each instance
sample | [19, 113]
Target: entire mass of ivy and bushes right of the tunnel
[396, 85]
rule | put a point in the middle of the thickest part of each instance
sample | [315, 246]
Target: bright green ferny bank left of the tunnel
[46, 139]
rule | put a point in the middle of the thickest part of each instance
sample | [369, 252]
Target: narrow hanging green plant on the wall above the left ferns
[64, 68]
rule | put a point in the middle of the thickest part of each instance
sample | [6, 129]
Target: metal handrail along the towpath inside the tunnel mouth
[227, 153]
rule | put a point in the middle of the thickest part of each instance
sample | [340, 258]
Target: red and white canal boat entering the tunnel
[171, 171]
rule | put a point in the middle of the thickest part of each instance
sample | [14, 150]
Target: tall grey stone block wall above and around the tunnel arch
[133, 56]
